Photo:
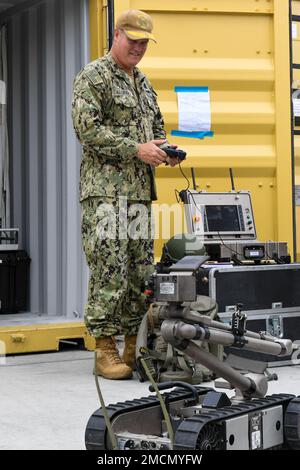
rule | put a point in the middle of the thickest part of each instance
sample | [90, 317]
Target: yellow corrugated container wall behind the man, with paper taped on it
[240, 50]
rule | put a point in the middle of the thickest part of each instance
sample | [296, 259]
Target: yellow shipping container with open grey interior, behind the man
[239, 49]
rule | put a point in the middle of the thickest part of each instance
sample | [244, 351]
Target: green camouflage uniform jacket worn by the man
[111, 116]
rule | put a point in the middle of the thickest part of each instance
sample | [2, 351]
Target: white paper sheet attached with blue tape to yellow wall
[194, 113]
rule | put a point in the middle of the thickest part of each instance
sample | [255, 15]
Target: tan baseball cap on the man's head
[136, 24]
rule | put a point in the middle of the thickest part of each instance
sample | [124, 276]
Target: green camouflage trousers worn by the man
[120, 259]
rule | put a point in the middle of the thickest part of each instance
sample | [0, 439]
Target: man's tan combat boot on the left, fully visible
[109, 363]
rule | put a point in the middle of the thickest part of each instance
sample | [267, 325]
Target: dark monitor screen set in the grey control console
[222, 218]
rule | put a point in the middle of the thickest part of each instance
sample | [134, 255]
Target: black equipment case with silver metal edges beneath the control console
[270, 295]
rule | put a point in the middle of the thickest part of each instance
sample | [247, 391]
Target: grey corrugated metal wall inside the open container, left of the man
[48, 44]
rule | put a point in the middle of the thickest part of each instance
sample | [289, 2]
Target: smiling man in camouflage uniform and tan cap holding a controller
[118, 122]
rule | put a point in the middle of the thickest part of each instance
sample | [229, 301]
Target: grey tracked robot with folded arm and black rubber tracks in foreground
[201, 418]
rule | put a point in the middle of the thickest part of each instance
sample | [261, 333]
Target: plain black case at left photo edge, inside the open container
[14, 281]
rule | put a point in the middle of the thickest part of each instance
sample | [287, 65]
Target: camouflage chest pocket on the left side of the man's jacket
[123, 108]
